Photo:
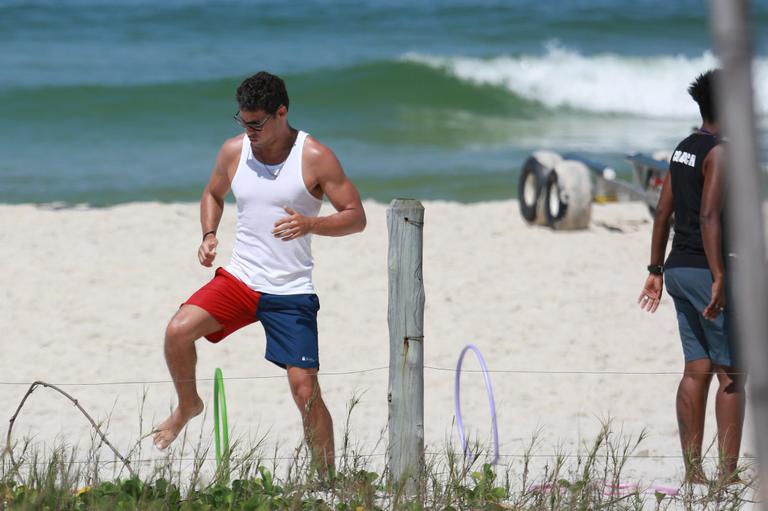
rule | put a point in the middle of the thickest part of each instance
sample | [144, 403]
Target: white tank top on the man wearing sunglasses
[265, 263]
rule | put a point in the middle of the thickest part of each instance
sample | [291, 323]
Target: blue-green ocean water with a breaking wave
[109, 101]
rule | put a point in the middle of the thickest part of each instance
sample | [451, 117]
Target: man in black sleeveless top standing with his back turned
[695, 271]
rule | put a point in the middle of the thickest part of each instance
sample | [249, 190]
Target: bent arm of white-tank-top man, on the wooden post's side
[350, 215]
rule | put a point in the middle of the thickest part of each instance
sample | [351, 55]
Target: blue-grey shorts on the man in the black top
[691, 290]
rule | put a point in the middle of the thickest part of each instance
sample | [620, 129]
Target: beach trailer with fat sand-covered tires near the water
[558, 190]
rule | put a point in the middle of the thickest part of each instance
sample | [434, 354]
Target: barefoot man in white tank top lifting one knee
[278, 176]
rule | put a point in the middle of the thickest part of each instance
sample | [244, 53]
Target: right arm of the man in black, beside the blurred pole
[711, 229]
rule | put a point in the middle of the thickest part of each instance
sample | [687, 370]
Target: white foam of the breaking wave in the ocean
[648, 86]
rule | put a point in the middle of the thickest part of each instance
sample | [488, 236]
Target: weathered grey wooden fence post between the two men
[405, 221]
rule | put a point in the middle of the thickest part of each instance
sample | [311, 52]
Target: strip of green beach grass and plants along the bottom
[66, 477]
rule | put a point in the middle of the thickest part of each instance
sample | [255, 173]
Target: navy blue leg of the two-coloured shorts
[290, 324]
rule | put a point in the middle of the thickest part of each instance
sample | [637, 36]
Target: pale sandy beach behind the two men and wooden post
[86, 295]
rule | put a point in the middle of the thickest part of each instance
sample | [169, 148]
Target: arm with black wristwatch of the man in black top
[650, 297]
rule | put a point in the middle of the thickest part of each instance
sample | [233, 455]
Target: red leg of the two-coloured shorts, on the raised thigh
[229, 301]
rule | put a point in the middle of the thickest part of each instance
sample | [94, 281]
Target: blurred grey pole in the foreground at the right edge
[730, 22]
